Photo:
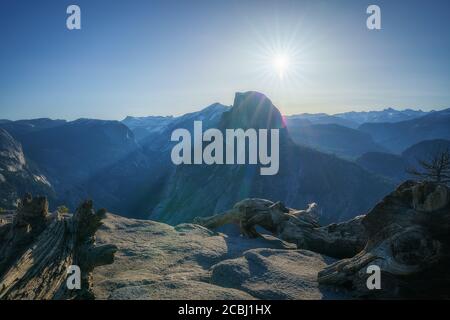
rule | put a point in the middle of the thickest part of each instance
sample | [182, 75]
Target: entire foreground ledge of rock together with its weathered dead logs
[406, 235]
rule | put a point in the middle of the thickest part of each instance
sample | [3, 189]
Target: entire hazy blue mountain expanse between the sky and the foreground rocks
[125, 166]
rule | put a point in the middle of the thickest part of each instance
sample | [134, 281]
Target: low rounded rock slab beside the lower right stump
[275, 274]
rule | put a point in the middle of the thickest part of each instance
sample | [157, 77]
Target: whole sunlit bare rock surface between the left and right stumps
[158, 261]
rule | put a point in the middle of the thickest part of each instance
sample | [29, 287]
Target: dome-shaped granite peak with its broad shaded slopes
[305, 175]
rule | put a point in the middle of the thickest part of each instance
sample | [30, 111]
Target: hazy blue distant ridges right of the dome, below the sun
[352, 134]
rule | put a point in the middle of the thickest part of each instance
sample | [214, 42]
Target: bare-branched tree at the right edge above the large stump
[437, 169]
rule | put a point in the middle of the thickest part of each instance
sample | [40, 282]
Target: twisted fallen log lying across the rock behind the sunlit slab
[300, 227]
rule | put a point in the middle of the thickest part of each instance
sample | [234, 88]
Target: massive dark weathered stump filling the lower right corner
[409, 240]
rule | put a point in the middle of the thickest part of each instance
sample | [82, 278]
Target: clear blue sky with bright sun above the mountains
[171, 57]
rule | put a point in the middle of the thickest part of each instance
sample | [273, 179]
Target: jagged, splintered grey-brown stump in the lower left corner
[37, 249]
